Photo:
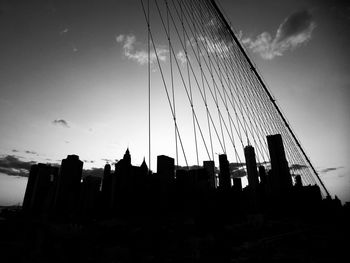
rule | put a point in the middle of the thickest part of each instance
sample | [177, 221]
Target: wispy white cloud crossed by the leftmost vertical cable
[134, 51]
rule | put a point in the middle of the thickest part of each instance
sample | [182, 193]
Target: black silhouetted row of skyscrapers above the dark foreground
[63, 193]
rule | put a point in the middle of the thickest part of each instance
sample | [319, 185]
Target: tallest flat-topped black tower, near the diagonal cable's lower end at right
[280, 176]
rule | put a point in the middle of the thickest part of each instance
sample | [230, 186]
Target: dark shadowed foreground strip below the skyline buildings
[252, 238]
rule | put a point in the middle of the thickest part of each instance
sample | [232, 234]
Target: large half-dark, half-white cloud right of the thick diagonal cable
[294, 31]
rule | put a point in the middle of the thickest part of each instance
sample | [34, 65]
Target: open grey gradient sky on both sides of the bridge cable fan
[73, 80]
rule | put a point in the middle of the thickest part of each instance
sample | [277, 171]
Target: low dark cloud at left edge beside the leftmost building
[12, 165]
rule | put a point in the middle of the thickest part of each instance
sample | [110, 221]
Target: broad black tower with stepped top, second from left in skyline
[68, 186]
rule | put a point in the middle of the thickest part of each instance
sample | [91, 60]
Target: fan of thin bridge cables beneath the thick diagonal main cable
[233, 100]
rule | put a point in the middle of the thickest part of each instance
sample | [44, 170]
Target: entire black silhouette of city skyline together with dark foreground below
[154, 216]
